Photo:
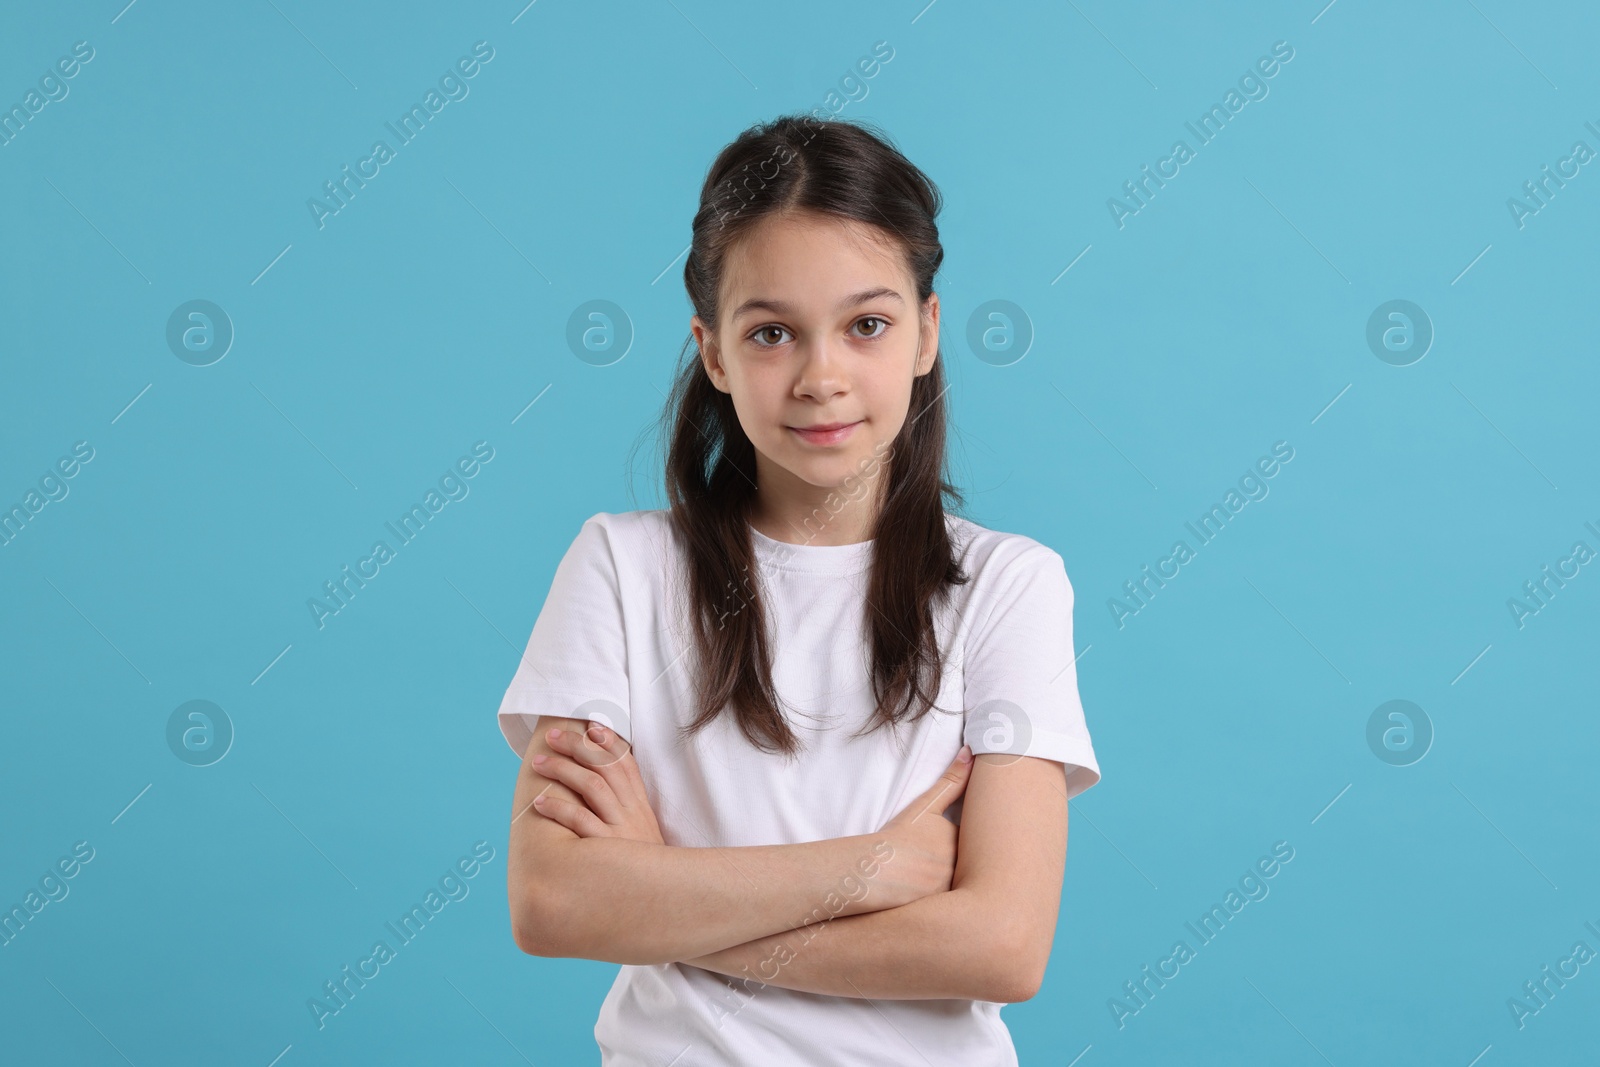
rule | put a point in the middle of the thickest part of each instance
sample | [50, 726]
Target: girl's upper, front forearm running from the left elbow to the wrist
[625, 901]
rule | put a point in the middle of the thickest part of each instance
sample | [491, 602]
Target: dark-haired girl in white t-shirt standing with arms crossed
[743, 717]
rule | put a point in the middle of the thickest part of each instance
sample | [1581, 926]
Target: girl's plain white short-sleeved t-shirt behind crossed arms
[614, 644]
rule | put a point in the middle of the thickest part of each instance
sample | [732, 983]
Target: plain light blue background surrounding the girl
[428, 314]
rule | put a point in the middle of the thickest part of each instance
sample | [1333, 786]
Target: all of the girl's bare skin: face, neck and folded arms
[972, 911]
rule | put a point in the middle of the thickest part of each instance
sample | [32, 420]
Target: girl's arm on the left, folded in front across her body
[638, 901]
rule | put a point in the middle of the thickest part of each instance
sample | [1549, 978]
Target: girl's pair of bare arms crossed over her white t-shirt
[849, 917]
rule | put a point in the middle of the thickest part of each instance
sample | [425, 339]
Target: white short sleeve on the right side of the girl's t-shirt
[1022, 679]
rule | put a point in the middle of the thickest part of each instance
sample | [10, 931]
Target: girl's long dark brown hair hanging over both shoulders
[849, 170]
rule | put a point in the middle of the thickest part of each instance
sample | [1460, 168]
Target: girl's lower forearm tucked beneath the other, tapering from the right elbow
[942, 946]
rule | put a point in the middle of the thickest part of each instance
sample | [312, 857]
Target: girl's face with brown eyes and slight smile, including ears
[818, 345]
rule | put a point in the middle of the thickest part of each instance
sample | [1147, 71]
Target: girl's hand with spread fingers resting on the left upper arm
[599, 767]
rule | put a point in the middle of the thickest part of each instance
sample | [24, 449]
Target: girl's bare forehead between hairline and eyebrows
[812, 260]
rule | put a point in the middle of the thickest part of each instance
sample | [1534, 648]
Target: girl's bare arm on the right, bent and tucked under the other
[988, 938]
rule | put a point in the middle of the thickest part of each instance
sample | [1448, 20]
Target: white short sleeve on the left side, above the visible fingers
[575, 665]
